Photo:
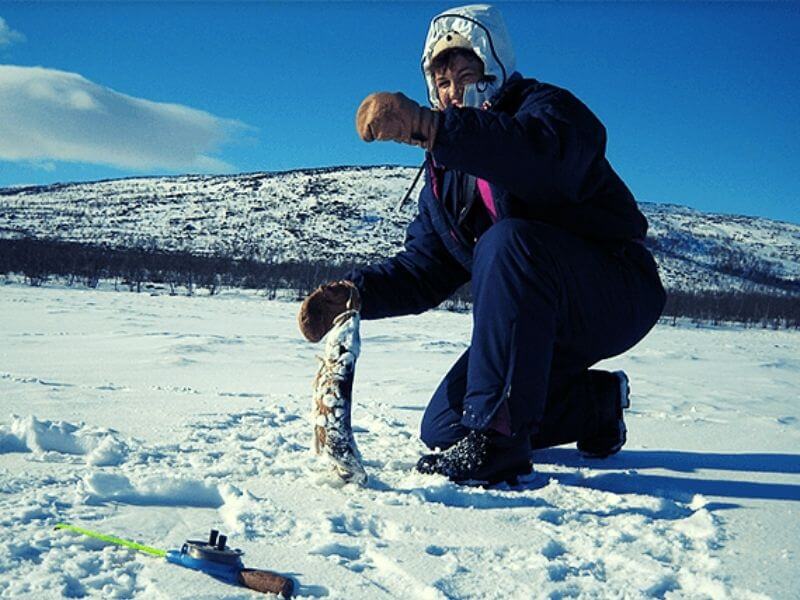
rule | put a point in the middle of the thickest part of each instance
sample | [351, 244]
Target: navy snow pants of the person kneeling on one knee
[546, 306]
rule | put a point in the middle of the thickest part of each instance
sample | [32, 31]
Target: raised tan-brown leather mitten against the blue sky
[387, 116]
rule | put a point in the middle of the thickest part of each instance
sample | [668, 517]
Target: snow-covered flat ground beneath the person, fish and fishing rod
[157, 418]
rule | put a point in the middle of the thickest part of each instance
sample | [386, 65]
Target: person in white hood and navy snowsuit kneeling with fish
[520, 201]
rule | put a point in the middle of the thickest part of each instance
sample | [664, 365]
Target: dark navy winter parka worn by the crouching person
[542, 151]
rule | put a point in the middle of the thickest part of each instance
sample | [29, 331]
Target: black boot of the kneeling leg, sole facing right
[611, 434]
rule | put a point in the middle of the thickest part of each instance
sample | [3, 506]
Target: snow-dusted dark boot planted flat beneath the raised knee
[481, 458]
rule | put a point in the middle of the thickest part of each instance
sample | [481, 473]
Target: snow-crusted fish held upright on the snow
[333, 399]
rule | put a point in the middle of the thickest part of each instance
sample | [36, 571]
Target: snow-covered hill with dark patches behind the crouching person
[348, 214]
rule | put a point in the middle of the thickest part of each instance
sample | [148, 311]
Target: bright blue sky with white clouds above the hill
[700, 100]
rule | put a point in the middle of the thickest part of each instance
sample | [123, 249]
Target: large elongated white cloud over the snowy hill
[55, 115]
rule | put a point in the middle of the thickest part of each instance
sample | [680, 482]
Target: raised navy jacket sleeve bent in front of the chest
[542, 153]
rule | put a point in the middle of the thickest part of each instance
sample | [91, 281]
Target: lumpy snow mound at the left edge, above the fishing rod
[99, 447]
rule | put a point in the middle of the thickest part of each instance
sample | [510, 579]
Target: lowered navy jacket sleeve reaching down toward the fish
[417, 279]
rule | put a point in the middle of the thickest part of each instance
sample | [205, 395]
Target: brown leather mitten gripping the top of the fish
[323, 305]
